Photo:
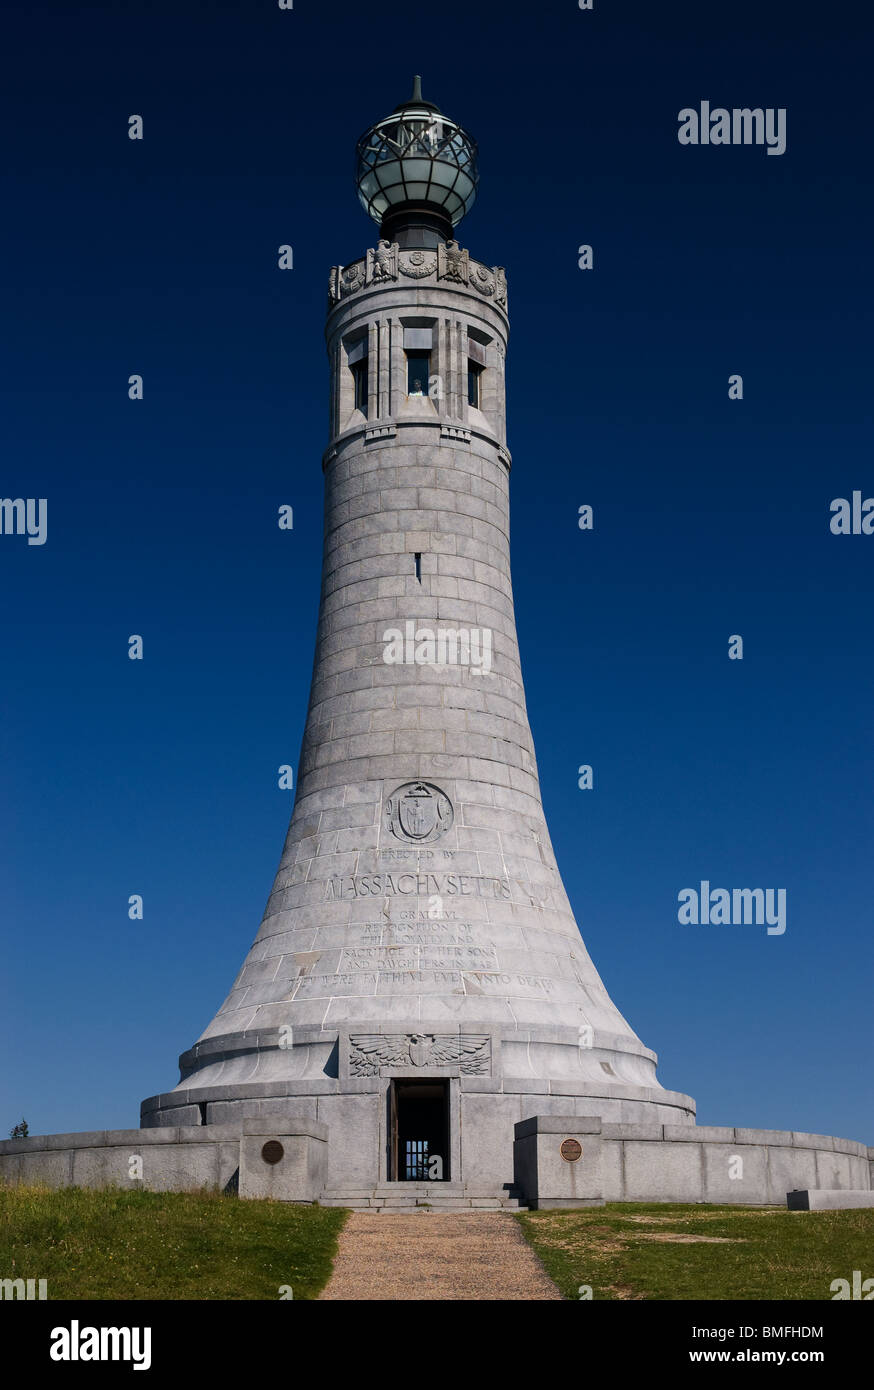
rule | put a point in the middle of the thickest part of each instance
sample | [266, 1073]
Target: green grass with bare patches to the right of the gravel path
[769, 1253]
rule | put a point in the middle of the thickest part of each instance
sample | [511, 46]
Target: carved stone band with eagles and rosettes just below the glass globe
[388, 265]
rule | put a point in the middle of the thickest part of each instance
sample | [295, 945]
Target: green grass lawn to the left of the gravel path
[137, 1245]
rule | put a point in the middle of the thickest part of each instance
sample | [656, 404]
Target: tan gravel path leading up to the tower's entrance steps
[436, 1256]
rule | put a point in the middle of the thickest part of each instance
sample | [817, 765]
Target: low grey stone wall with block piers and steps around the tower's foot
[622, 1163]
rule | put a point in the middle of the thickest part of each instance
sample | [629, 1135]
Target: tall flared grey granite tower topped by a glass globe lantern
[419, 982]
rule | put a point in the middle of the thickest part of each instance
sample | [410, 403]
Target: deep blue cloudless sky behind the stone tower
[711, 518]
